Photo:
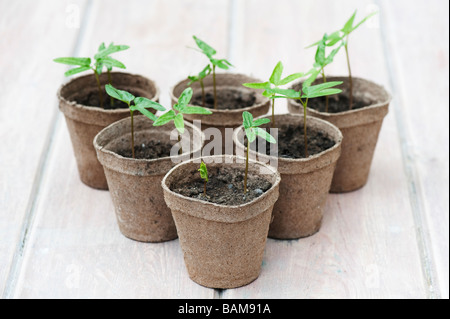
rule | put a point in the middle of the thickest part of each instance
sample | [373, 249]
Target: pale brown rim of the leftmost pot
[98, 109]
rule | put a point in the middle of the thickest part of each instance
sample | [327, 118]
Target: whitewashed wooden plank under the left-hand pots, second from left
[75, 249]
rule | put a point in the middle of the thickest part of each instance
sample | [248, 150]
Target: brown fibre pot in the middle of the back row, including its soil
[228, 114]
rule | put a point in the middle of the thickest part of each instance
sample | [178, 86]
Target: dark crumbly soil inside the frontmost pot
[225, 186]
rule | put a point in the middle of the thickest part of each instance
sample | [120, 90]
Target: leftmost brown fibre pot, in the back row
[84, 121]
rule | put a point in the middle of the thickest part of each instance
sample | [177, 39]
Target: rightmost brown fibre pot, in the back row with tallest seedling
[360, 128]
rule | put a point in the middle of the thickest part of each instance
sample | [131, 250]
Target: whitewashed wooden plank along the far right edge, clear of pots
[424, 118]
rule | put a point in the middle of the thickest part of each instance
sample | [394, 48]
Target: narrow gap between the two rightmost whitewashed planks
[413, 180]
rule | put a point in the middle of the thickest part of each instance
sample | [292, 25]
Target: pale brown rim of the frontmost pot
[266, 194]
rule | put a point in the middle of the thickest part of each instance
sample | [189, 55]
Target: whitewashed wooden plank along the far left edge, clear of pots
[29, 41]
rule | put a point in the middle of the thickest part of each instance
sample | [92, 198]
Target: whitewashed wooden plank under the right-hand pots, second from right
[367, 246]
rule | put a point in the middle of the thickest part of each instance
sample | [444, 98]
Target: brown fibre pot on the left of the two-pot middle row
[135, 184]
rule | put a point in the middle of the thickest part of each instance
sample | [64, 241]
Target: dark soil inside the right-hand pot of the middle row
[291, 142]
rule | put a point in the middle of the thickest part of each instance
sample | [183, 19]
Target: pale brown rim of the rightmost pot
[348, 112]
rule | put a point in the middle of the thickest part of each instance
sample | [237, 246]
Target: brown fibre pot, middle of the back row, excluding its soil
[223, 118]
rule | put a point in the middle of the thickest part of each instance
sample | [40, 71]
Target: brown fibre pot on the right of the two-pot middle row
[305, 182]
